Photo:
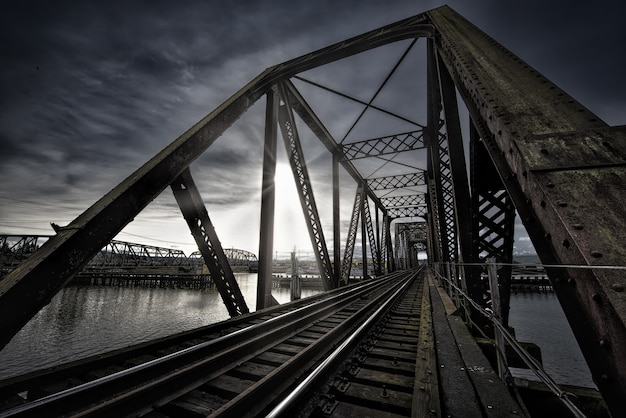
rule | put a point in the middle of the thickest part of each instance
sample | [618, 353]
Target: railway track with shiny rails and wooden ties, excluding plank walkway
[249, 366]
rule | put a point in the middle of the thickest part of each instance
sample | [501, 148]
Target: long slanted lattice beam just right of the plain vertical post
[305, 192]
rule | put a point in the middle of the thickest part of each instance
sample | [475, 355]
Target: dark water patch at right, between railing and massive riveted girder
[538, 318]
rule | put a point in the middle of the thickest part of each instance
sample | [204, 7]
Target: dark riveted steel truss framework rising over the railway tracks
[533, 150]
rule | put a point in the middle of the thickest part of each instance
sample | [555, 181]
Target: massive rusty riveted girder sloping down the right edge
[565, 171]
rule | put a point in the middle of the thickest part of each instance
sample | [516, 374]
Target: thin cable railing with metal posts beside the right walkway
[451, 279]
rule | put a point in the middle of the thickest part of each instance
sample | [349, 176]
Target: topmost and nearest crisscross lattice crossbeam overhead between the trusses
[406, 141]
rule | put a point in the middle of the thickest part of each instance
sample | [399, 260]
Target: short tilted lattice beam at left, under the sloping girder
[193, 210]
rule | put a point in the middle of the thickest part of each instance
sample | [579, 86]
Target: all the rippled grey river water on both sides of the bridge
[81, 321]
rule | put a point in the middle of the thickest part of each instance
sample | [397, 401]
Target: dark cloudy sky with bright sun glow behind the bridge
[89, 91]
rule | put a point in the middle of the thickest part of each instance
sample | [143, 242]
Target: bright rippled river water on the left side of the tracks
[83, 321]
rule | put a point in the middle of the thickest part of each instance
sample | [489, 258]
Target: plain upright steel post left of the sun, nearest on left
[268, 195]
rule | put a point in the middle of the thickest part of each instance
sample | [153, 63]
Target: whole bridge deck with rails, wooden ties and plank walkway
[415, 358]
